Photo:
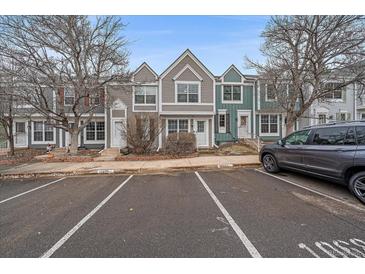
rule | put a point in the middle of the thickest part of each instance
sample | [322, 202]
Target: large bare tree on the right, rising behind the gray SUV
[307, 53]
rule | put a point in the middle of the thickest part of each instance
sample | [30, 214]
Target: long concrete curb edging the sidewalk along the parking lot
[125, 171]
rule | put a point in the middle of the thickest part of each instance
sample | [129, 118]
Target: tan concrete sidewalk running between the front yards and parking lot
[123, 167]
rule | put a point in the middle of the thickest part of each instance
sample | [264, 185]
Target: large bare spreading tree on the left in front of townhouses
[65, 54]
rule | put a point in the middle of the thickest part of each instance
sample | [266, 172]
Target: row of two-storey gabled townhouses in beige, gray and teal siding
[186, 97]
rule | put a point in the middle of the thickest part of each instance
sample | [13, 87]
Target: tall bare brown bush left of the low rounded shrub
[141, 131]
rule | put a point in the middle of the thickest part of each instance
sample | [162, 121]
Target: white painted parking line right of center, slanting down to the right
[246, 242]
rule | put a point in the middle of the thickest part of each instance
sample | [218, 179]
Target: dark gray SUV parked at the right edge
[333, 151]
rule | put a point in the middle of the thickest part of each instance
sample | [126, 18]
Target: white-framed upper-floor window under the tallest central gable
[187, 92]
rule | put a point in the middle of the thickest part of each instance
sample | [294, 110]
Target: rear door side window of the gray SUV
[330, 136]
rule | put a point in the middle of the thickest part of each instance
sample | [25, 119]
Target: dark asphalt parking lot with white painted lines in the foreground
[224, 213]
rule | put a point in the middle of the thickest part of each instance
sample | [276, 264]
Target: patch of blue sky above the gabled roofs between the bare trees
[218, 41]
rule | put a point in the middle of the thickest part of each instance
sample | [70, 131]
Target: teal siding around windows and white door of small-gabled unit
[232, 110]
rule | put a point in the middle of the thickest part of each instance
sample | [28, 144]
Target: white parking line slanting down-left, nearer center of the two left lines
[54, 248]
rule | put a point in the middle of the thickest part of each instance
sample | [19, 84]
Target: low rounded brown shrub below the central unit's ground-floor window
[180, 143]
